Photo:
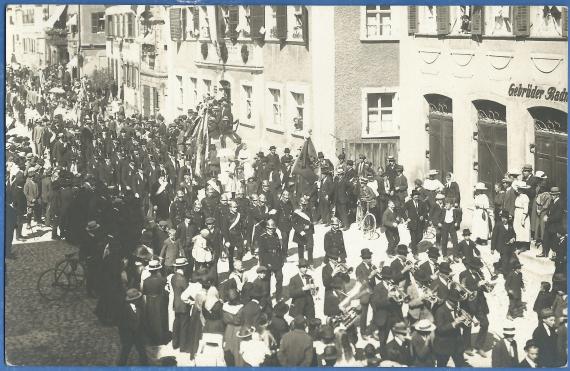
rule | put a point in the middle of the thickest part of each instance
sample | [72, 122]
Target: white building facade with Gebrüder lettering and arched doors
[485, 91]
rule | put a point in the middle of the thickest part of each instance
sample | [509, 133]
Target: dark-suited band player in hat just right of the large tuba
[386, 311]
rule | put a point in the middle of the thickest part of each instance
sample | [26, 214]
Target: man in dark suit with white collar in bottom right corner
[546, 338]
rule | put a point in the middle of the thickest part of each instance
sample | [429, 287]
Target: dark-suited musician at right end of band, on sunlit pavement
[472, 280]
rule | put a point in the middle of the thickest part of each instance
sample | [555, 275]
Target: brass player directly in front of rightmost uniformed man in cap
[335, 276]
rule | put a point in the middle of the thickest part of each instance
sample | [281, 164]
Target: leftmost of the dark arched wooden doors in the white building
[441, 144]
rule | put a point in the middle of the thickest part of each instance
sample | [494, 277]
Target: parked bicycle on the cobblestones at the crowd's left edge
[67, 275]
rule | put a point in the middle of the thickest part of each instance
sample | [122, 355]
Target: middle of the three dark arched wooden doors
[492, 150]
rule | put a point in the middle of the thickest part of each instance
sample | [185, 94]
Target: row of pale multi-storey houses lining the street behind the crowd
[473, 90]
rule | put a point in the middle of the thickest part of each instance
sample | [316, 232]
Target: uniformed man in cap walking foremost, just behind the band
[269, 247]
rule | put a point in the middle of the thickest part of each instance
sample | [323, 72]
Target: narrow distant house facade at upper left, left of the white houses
[86, 39]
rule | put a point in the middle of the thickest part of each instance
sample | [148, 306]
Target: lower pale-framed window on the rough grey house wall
[379, 113]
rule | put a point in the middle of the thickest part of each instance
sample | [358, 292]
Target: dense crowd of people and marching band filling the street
[154, 222]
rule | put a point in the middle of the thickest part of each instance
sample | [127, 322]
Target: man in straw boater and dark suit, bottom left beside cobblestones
[131, 328]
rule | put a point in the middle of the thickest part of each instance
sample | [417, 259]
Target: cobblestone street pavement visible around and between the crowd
[68, 333]
